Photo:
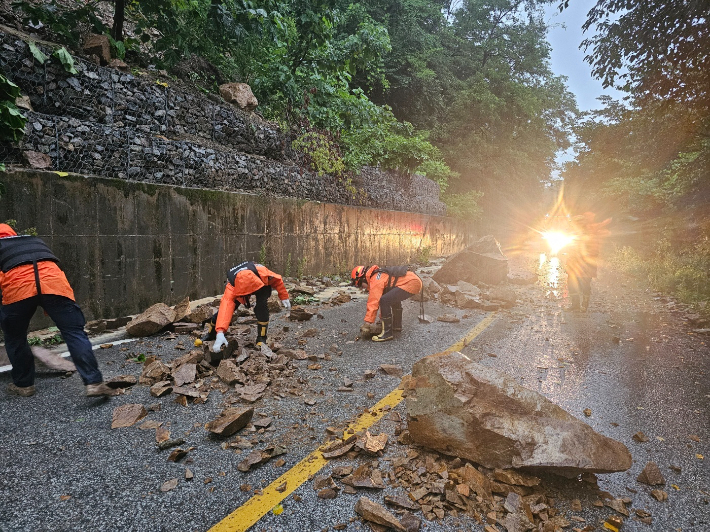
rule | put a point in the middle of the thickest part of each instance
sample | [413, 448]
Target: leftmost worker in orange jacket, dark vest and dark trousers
[30, 278]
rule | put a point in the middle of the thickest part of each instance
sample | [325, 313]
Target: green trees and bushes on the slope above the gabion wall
[463, 95]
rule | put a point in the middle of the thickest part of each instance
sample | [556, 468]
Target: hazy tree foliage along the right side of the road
[650, 159]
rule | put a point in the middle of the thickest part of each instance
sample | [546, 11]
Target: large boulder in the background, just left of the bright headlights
[481, 262]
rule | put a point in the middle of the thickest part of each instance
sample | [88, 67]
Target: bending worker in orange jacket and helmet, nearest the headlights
[387, 289]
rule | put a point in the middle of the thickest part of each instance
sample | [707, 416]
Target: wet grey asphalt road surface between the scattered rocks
[629, 359]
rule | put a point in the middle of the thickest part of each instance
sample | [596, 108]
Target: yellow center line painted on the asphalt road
[255, 508]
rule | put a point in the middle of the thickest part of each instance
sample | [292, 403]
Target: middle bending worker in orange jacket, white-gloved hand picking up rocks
[244, 280]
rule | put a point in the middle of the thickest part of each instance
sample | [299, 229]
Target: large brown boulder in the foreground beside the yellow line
[464, 409]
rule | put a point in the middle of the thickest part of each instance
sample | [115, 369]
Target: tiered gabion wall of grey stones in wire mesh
[105, 122]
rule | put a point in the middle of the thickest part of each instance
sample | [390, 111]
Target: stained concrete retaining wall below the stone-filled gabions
[126, 245]
